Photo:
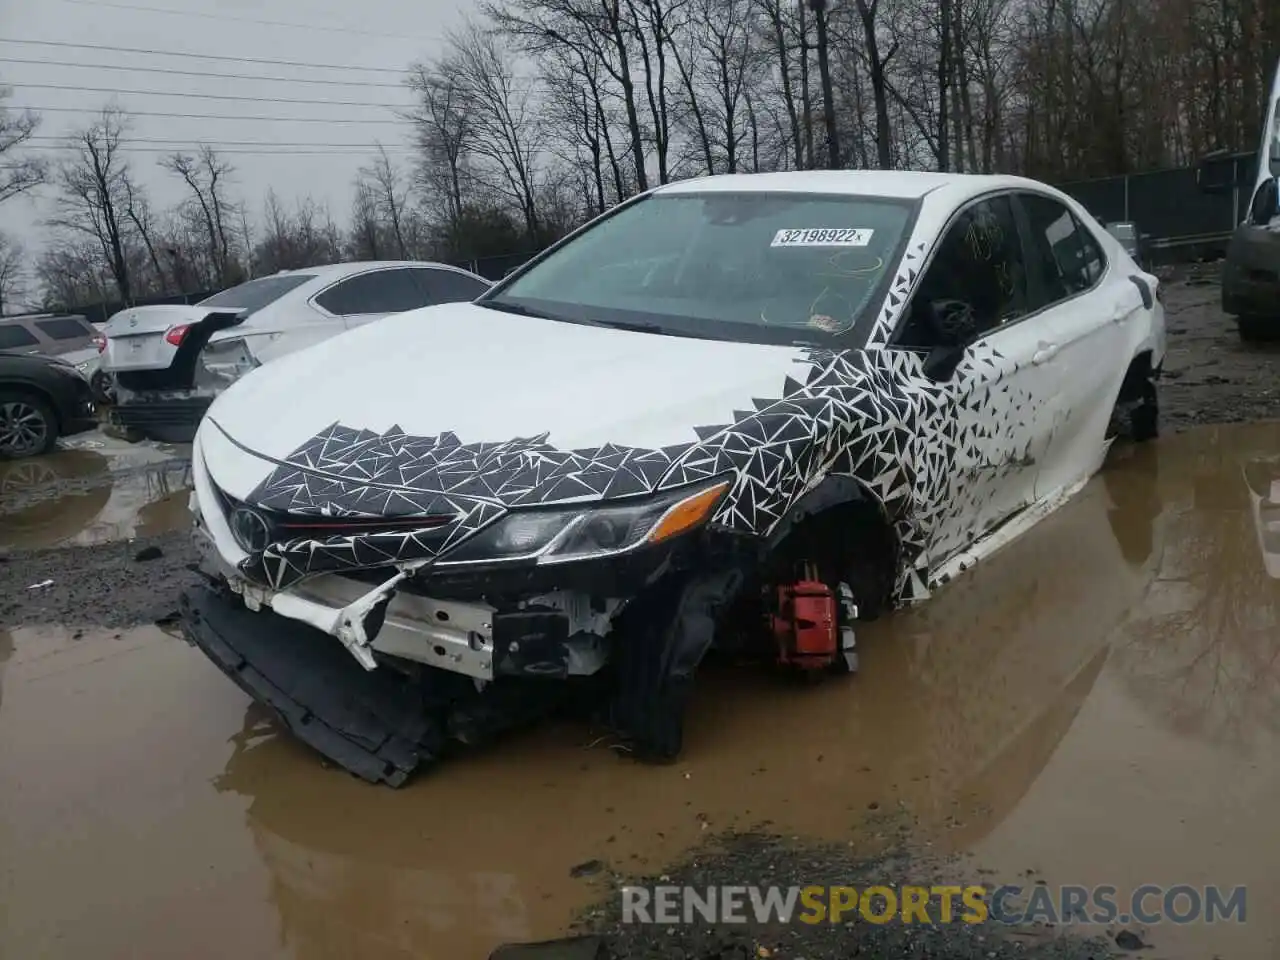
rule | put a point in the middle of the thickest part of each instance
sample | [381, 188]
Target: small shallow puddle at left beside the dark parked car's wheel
[103, 490]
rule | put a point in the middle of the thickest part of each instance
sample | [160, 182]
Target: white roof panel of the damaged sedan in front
[899, 185]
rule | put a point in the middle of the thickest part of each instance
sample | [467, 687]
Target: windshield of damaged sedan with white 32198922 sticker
[755, 267]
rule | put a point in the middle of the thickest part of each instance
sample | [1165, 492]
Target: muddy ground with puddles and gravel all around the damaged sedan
[1067, 730]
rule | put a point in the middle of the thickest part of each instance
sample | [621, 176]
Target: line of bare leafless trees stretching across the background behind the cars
[540, 115]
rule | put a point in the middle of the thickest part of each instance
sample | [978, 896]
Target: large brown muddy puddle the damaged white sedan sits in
[1099, 702]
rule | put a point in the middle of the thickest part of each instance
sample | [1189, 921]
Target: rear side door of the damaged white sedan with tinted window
[1081, 309]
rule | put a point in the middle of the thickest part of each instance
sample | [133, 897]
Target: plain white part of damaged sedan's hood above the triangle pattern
[490, 378]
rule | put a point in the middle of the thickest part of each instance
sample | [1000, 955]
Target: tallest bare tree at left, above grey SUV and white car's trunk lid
[93, 194]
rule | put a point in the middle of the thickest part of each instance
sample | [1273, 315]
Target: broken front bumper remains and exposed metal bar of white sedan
[436, 670]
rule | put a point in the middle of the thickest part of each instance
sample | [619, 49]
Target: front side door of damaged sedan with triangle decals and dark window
[989, 433]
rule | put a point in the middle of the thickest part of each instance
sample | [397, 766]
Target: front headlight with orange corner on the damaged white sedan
[563, 536]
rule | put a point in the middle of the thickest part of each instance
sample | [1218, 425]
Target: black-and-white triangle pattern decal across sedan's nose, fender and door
[871, 415]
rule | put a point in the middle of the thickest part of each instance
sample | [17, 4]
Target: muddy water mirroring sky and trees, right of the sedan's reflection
[1171, 775]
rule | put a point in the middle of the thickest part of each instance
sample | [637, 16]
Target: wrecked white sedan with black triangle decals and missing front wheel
[740, 412]
